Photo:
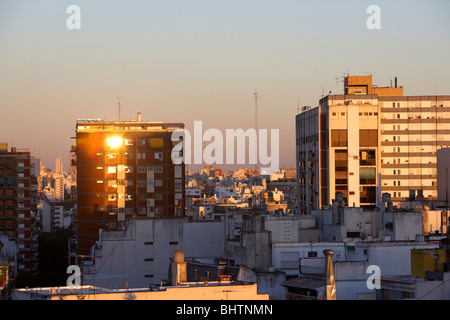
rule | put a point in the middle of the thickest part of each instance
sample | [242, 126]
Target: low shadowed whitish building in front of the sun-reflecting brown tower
[140, 255]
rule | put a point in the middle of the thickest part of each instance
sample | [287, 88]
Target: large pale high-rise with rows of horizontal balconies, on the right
[368, 141]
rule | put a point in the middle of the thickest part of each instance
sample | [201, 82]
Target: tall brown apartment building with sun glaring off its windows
[124, 169]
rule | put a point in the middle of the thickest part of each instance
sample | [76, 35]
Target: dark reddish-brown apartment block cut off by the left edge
[17, 200]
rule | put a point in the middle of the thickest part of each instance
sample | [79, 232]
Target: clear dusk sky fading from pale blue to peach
[202, 60]
